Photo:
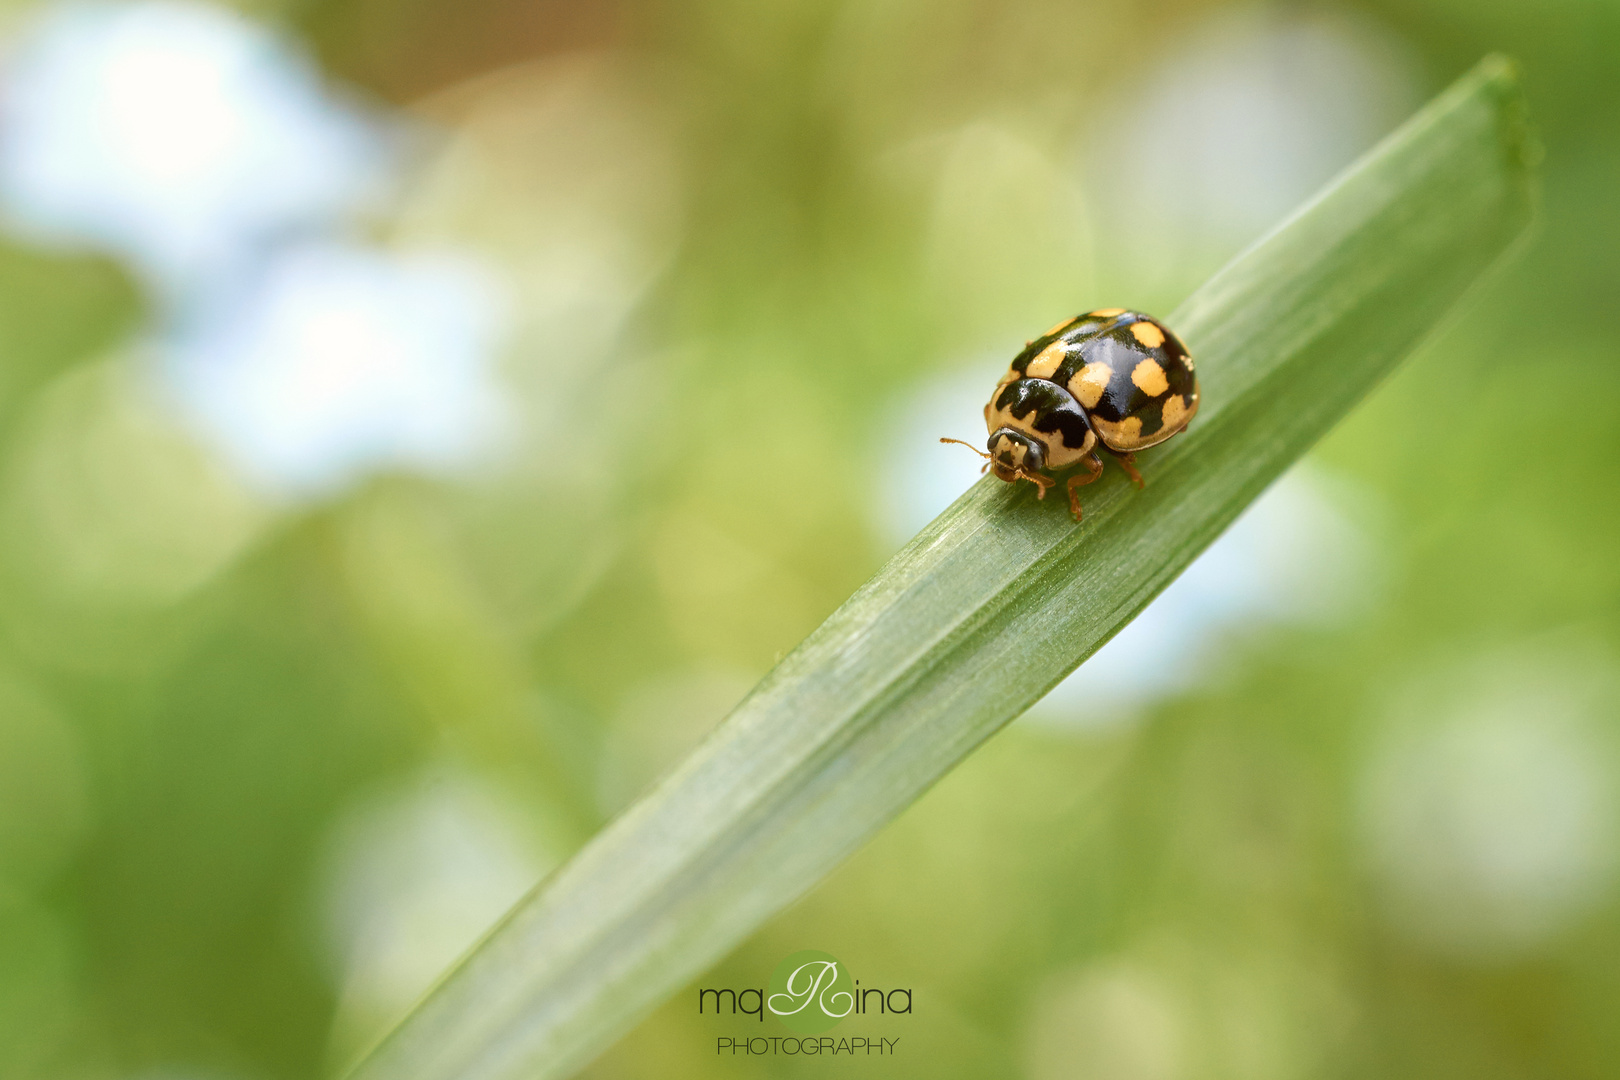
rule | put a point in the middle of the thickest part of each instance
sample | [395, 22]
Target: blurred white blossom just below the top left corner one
[336, 362]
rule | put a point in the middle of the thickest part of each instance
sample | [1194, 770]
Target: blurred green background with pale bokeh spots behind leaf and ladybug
[420, 422]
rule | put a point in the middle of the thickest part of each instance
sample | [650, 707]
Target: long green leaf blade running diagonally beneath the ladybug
[984, 611]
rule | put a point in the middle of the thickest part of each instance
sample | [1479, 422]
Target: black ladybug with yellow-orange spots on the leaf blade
[1111, 380]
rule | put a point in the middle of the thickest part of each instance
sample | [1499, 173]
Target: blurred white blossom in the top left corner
[176, 137]
